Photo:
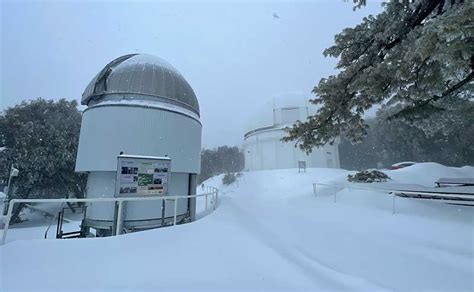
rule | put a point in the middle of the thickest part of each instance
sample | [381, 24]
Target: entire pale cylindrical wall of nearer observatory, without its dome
[138, 130]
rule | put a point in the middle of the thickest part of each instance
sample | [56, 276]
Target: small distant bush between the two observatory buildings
[224, 159]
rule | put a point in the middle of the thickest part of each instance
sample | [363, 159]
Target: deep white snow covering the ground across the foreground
[271, 233]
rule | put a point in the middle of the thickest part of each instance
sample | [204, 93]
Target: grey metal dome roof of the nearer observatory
[144, 76]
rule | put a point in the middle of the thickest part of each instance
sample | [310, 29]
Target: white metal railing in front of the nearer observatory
[213, 192]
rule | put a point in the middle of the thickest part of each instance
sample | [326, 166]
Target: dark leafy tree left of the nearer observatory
[41, 139]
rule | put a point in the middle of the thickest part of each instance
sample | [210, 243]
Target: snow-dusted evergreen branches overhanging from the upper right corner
[416, 58]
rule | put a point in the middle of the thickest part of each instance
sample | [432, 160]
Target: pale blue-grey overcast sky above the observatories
[235, 55]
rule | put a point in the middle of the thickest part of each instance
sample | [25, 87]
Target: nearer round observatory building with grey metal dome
[138, 105]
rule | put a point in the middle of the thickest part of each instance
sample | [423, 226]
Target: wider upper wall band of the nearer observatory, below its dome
[137, 130]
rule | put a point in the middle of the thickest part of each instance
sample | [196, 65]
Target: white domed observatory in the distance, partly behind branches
[263, 147]
